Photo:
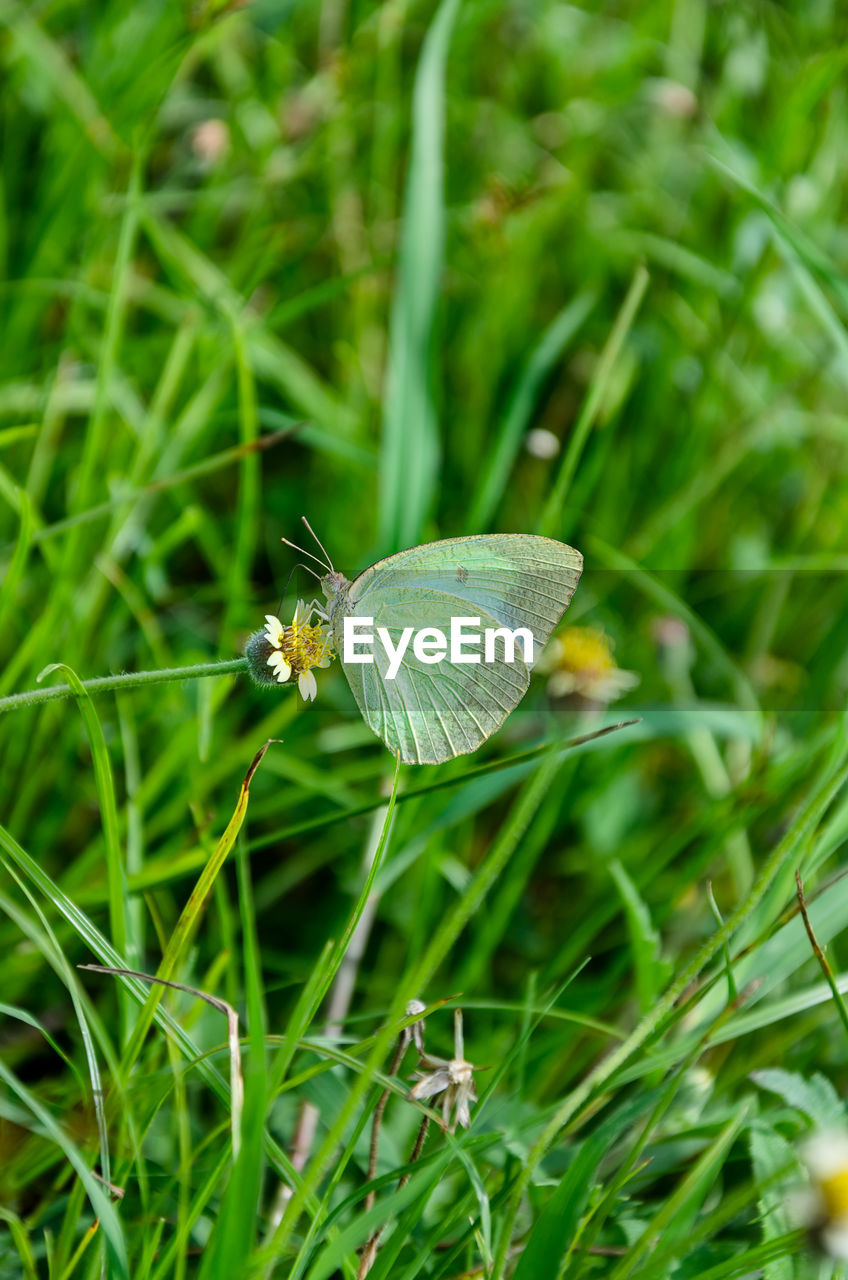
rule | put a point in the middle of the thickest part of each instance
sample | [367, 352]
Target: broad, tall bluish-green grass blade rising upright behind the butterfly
[411, 446]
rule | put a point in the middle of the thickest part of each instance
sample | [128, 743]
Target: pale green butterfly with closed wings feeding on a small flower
[432, 712]
